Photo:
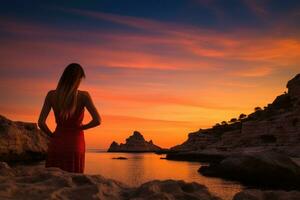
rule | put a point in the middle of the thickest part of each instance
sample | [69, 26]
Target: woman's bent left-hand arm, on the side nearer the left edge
[44, 114]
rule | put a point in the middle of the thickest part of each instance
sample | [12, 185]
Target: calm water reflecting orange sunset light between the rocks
[143, 167]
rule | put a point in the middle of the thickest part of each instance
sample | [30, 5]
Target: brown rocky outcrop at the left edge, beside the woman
[21, 141]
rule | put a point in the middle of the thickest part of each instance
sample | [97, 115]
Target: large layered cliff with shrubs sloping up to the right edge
[276, 126]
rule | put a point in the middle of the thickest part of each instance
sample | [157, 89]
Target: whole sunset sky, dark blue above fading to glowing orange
[162, 67]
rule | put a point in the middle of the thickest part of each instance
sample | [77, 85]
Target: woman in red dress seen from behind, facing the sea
[67, 146]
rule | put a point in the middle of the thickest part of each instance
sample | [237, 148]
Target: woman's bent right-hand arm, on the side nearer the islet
[96, 119]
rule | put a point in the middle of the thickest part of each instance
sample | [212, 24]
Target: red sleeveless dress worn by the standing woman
[67, 146]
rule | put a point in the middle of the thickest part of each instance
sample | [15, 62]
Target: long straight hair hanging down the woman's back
[66, 89]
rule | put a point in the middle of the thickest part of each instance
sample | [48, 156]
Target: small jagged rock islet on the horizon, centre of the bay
[135, 143]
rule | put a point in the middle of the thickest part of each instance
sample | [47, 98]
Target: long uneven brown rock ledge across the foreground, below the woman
[37, 182]
